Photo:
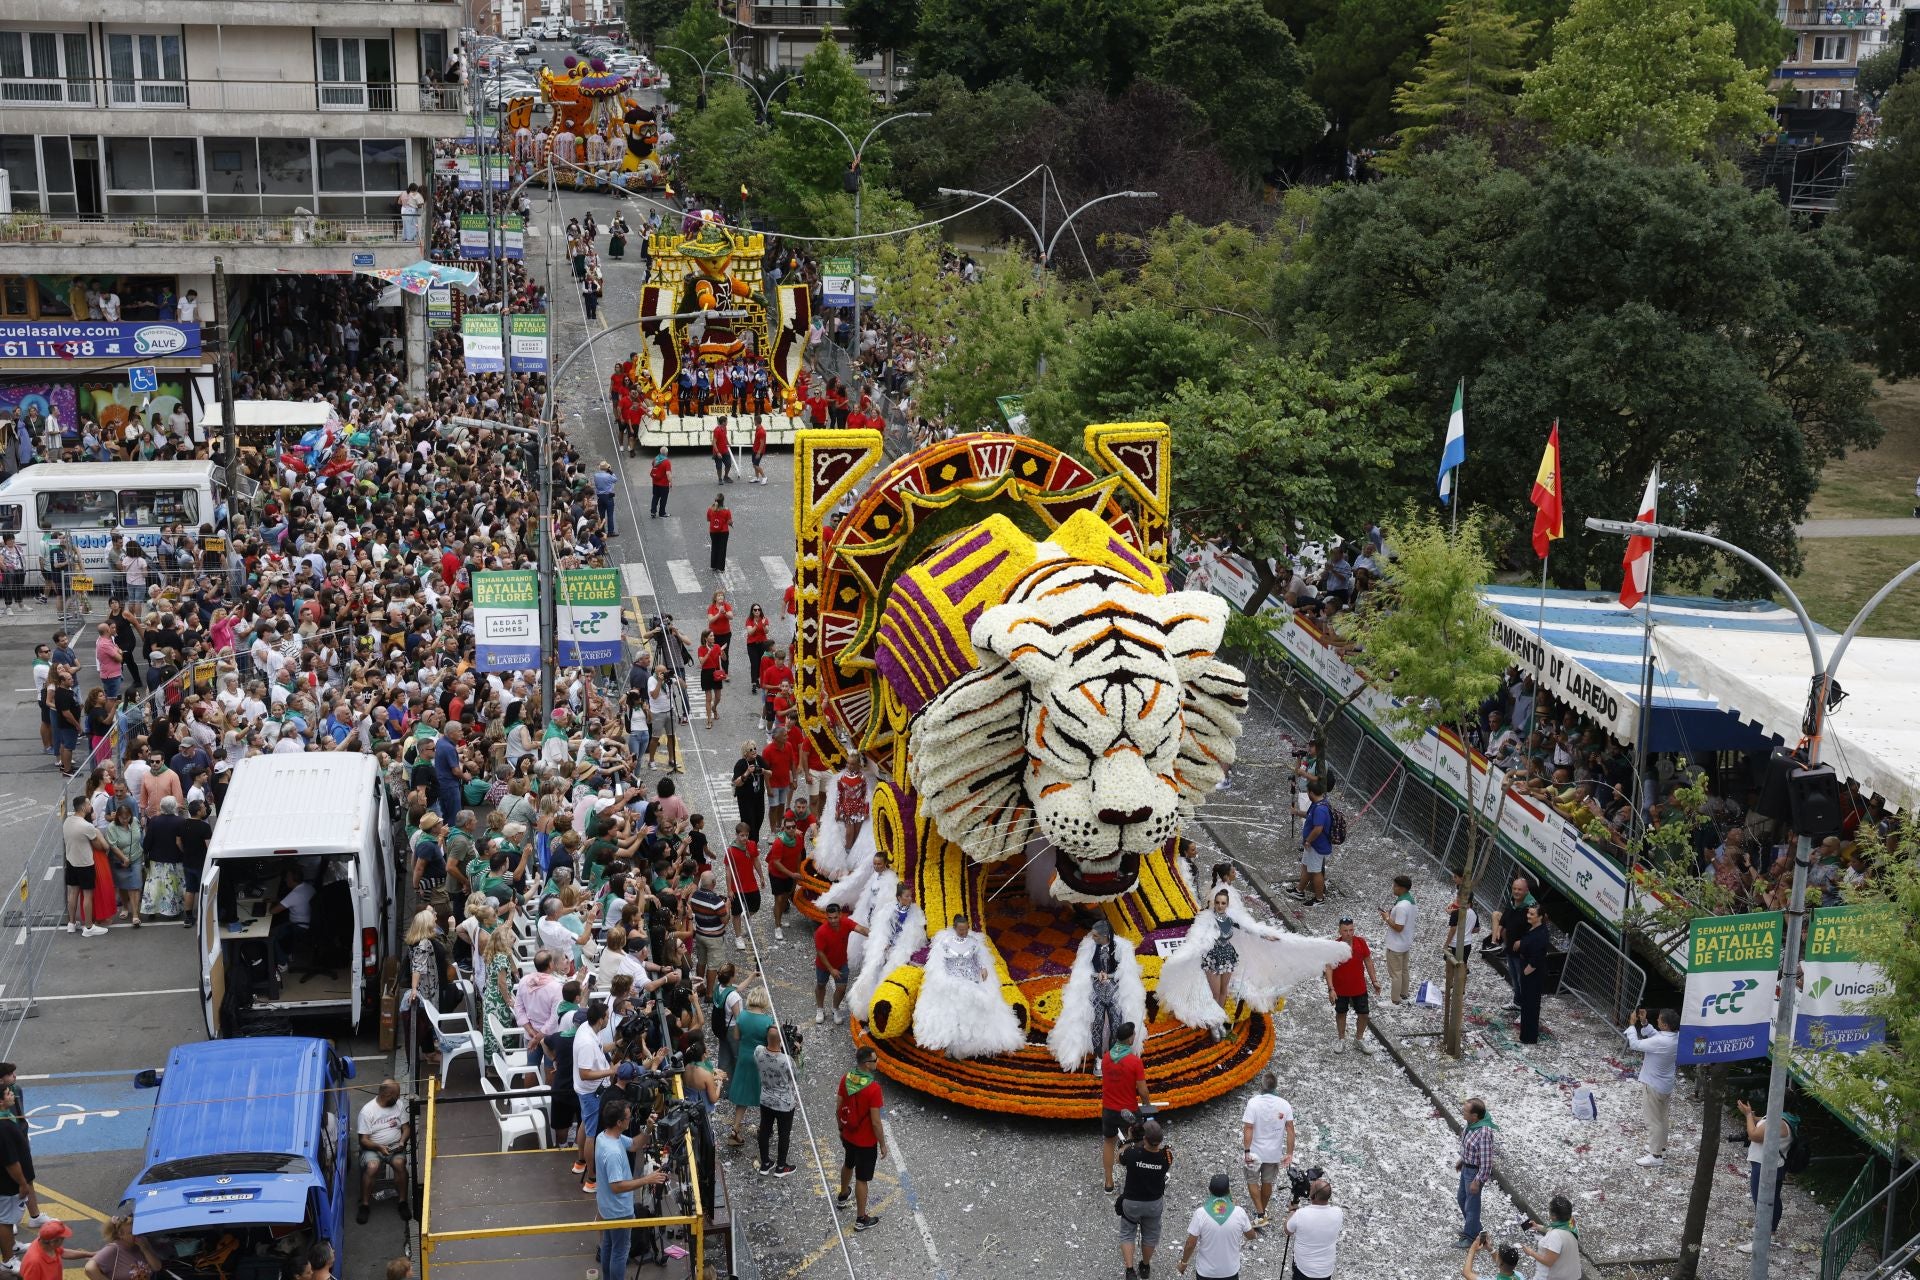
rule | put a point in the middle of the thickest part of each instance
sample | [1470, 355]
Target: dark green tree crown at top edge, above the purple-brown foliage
[1053, 45]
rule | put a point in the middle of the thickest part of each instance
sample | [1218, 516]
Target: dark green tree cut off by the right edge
[1883, 210]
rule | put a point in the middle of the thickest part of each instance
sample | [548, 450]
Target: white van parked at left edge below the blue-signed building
[97, 500]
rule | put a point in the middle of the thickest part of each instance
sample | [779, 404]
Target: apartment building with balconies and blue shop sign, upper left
[139, 139]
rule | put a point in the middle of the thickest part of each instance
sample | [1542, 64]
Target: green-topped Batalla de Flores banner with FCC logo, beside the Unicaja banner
[1731, 978]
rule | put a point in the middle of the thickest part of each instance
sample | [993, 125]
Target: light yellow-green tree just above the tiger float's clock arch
[1005, 327]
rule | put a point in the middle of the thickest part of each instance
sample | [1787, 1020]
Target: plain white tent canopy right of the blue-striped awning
[1875, 736]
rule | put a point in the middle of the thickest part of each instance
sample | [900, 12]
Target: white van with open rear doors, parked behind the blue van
[314, 818]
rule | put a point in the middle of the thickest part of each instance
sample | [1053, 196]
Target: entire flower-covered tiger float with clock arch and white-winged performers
[992, 628]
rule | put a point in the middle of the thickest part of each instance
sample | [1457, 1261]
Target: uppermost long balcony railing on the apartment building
[122, 95]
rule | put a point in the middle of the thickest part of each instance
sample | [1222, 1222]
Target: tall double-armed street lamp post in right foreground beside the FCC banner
[1790, 968]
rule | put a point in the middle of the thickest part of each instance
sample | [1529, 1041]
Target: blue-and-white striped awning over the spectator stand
[1587, 652]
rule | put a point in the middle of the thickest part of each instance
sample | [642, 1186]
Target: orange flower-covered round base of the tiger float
[1184, 1066]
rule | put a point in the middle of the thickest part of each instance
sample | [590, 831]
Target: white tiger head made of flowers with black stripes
[1099, 717]
